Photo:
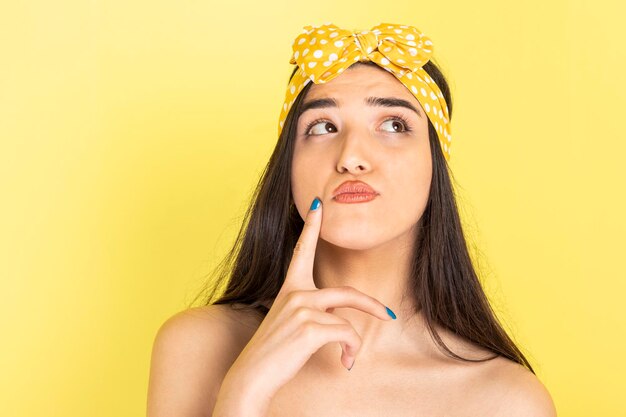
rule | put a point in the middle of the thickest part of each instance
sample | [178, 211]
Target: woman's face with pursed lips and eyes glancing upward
[354, 138]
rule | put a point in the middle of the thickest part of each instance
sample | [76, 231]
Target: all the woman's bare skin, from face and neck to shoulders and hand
[294, 362]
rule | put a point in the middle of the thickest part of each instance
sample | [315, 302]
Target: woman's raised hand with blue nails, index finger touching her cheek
[299, 322]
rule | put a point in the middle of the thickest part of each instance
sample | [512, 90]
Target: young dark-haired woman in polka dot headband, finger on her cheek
[350, 290]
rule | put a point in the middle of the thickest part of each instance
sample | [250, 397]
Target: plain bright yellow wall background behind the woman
[132, 133]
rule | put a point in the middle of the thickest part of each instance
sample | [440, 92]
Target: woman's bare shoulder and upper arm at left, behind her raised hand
[191, 353]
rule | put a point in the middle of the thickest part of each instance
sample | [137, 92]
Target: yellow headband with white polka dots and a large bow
[323, 52]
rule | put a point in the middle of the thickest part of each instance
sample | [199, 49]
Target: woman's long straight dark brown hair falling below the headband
[444, 284]
